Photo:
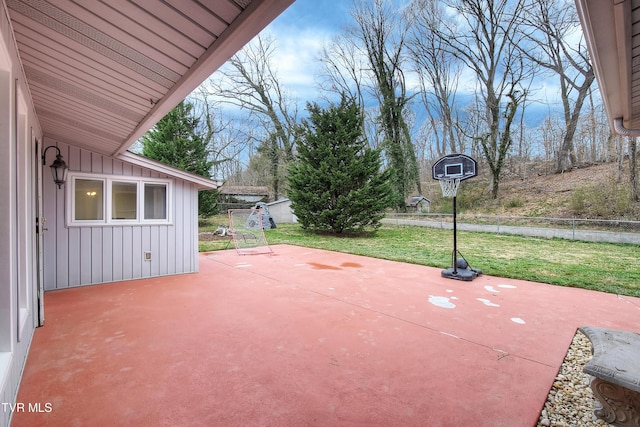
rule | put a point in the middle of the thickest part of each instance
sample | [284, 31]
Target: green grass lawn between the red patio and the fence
[607, 267]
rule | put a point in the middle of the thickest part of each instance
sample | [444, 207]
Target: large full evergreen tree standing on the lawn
[336, 184]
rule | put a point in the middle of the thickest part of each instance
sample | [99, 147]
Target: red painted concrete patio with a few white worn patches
[306, 337]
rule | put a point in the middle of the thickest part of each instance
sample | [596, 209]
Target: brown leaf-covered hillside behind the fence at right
[586, 192]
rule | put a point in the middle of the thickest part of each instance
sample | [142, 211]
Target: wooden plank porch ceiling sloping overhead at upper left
[101, 73]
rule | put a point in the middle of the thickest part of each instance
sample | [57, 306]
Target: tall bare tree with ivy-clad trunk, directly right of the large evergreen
[368, 62]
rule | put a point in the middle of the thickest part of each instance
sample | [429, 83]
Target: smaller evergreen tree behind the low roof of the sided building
[175, 141]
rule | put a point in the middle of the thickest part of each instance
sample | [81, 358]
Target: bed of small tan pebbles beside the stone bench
[570, 401]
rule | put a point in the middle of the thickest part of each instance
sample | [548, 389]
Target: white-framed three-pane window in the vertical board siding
[134, 200]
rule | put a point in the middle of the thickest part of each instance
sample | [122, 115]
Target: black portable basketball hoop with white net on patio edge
[450, 171]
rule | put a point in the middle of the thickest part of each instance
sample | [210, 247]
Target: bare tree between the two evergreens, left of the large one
[250, 82]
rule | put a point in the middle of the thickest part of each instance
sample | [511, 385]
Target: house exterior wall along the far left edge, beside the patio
[19, 129]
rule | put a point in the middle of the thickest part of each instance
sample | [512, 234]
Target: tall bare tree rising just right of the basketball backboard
[481, 37]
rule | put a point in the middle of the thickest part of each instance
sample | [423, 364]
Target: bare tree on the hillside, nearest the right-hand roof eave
[546, 33]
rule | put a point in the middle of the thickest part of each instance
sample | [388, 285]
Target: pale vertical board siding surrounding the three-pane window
[78, 256]
